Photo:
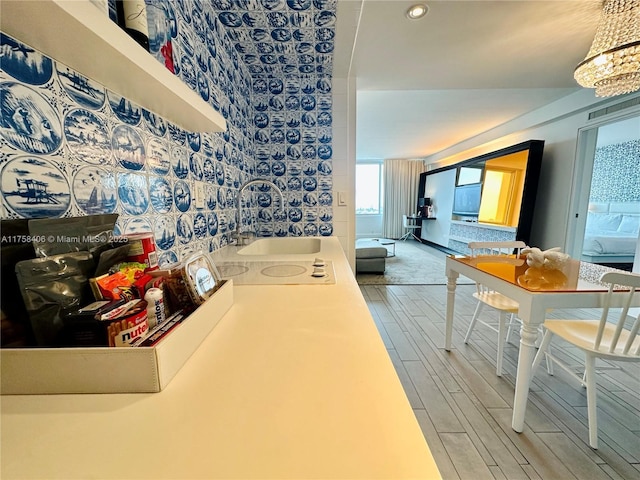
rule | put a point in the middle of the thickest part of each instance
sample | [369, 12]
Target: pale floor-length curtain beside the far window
[401, 179]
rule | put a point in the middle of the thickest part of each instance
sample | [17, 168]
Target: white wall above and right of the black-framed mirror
[557, 124]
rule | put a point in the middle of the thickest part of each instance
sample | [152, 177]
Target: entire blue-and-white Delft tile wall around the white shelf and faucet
[69, 147]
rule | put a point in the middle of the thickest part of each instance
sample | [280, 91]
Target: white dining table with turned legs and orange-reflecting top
[574, 285]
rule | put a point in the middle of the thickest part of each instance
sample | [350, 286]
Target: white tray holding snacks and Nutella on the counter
[111, 370]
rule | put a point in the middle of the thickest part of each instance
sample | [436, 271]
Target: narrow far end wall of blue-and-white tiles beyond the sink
[287, 46]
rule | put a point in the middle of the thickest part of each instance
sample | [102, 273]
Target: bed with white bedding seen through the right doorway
[612, 232]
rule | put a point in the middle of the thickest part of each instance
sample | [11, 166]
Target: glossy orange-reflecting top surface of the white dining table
[572, 276]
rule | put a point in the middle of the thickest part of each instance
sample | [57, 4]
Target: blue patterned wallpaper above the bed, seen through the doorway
[616, 173]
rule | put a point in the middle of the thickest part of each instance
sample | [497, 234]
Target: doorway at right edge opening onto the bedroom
[606, 200]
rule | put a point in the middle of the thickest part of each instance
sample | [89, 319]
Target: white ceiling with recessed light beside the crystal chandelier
[466, 67]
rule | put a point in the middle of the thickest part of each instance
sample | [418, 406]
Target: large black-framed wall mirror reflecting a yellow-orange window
[483, 197]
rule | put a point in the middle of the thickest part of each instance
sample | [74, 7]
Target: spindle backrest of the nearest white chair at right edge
[629, 282]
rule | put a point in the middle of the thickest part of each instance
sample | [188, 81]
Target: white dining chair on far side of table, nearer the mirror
[506, 307]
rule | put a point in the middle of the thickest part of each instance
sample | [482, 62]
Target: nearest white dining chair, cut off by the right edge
[597, 339]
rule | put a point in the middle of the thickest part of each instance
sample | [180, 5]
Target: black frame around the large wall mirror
[530, 188]
